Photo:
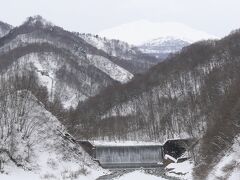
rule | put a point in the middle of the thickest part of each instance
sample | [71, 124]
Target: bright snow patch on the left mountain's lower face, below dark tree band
[46, 66]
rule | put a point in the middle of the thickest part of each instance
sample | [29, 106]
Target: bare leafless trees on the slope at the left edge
[17, 120]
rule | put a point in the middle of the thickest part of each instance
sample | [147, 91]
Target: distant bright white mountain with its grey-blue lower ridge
[156, 39]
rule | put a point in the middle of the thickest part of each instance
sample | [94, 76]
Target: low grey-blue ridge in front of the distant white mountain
[162, 47]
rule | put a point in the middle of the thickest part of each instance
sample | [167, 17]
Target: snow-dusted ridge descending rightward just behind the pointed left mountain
[128, 56]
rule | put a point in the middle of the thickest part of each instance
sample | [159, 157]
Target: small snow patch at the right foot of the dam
[180, 170]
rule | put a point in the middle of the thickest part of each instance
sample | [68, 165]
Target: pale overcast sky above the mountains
[217, 17]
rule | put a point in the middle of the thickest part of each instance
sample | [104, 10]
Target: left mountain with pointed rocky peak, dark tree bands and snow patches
[65, 63]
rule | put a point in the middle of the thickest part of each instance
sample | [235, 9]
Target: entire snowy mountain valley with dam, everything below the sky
[141, 100]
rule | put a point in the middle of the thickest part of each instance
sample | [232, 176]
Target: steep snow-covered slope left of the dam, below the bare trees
[52, 154]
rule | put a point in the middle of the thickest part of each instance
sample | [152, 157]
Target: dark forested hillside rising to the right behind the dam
[195, 93]
